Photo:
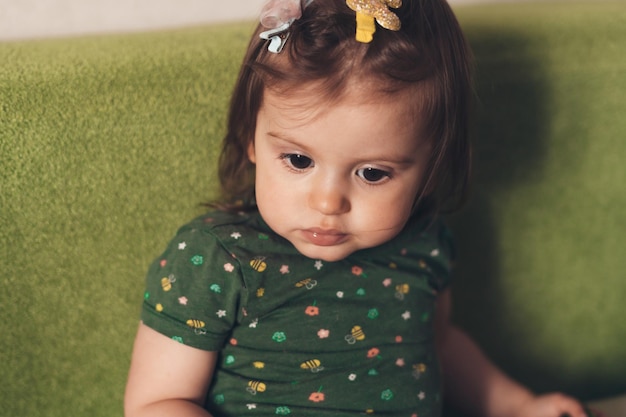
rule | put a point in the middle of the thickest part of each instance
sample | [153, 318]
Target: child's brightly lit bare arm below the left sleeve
[167, 378]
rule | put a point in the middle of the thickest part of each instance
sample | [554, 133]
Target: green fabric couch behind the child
[108, 144]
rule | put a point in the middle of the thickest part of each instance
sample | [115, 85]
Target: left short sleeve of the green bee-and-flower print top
[193, 291]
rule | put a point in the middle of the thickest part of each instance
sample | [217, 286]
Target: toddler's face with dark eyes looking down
[333, 179]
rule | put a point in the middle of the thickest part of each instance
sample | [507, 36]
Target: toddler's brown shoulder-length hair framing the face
[428, 57]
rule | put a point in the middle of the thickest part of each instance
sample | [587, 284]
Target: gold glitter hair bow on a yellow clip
[368, 10]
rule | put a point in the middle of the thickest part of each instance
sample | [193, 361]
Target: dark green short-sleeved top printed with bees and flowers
[299, 336]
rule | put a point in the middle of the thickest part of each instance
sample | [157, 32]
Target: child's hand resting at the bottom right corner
[553, 405]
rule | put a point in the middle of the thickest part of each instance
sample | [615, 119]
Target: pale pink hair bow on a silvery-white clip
[278, 16]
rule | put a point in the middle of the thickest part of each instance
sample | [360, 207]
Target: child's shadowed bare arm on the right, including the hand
[478, 387]
